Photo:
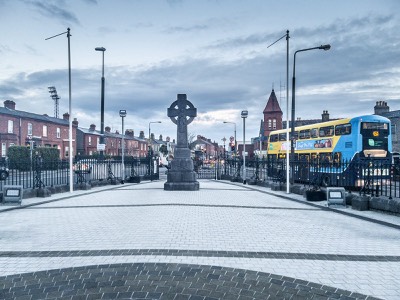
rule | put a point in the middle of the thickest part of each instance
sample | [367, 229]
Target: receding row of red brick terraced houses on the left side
[19, 128]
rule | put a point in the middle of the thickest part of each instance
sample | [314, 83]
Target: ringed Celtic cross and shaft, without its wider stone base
[182, 112]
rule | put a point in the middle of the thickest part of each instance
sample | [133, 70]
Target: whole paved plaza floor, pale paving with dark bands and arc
[225, 241]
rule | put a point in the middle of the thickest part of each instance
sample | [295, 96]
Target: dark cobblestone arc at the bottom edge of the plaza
[163, 281]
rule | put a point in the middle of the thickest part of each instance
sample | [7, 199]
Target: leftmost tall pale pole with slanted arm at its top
[70, 152]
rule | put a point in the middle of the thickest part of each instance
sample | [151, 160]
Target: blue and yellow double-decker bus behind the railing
[346, 152]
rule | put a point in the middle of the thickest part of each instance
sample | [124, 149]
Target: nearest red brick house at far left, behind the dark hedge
[18, 128]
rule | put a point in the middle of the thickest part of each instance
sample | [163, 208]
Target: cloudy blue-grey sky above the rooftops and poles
[215, 51]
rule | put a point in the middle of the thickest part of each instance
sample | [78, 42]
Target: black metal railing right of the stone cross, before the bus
[367, 176]
